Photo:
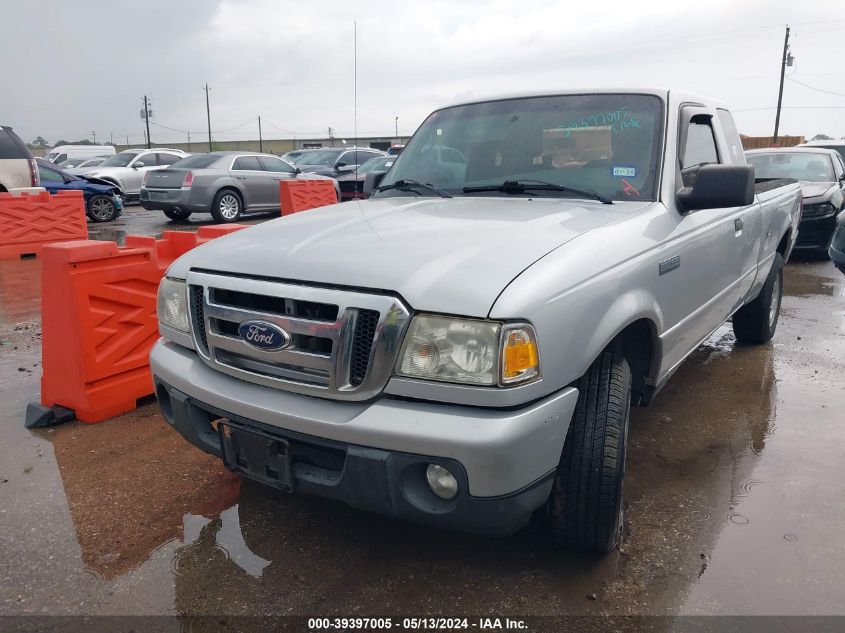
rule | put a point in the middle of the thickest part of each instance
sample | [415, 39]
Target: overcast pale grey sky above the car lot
[71, 68]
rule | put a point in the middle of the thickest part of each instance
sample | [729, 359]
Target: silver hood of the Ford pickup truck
[451, 255]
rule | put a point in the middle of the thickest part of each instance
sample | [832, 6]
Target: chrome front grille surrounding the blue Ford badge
[342, 343]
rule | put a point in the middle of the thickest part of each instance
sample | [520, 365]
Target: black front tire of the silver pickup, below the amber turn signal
[585, 507]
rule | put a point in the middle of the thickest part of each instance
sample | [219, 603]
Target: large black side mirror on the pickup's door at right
[719, 186]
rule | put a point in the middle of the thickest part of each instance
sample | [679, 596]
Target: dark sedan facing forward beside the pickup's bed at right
[821, 173]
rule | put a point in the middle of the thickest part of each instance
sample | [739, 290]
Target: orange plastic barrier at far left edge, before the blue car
[29, 221]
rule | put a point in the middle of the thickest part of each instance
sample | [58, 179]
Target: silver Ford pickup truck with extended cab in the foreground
[462, 349]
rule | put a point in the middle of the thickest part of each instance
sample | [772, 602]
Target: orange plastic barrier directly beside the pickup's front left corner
[99, 319]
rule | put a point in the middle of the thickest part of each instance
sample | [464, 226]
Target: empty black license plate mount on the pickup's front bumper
[258, 456]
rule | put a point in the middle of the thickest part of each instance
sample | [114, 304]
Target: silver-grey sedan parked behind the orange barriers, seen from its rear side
[224, 184]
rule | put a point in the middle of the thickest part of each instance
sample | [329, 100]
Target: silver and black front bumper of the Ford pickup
[504, 460]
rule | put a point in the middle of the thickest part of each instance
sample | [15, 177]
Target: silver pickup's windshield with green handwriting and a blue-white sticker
[605, 143]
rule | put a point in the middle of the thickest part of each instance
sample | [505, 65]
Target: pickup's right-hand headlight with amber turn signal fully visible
[469, 351]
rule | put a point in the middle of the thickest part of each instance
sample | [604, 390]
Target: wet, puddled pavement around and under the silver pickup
[734, 500]
